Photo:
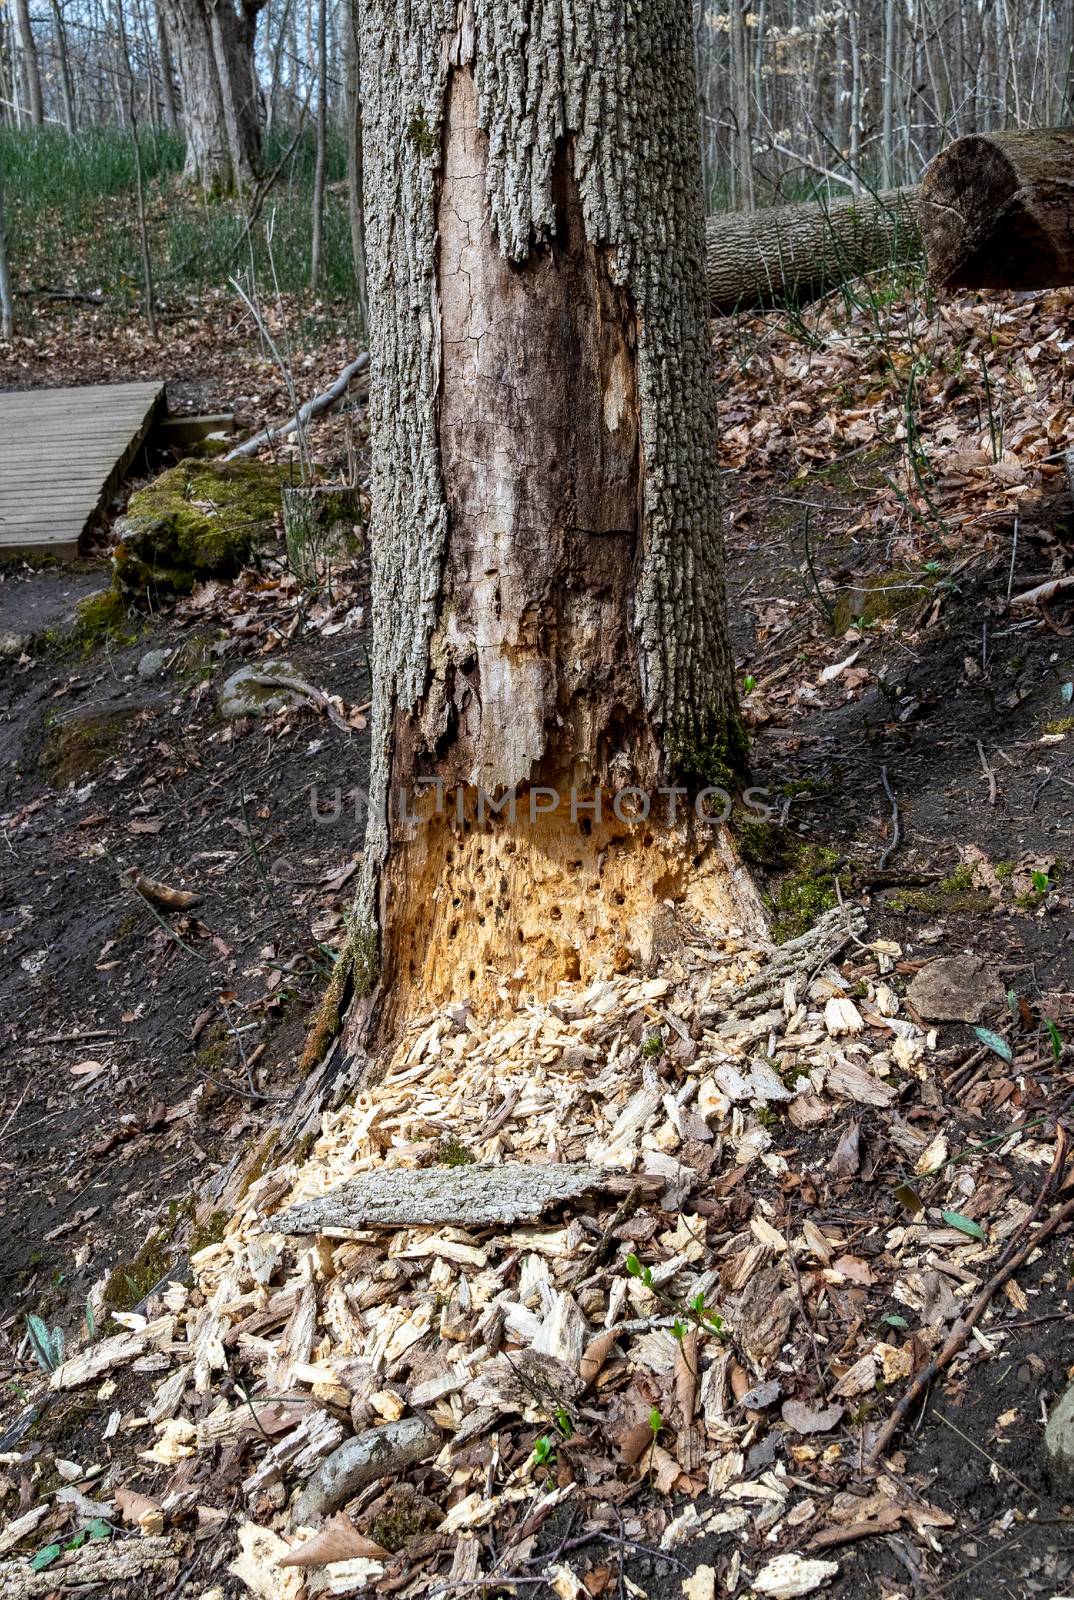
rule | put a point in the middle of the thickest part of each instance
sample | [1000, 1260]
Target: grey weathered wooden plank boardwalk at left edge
[63, 454]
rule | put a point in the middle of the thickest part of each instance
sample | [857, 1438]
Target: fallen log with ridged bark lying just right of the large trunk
[799, 252]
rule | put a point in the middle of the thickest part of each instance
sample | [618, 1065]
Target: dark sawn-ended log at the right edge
[998, 212]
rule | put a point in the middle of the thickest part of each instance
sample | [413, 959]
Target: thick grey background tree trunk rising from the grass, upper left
[215, 49]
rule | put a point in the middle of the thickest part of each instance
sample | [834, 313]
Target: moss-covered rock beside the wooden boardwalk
[198, 521]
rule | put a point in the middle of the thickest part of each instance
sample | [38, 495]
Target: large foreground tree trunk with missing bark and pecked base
[548, 572]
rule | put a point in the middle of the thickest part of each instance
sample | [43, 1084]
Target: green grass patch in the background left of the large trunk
[73, 222]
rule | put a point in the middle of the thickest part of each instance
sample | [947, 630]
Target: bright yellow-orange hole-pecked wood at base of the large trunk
[492, 913]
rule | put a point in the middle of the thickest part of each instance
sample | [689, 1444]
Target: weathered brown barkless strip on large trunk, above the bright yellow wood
[542, 470]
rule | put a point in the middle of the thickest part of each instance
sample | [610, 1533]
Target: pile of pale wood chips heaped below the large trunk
[590, 1279]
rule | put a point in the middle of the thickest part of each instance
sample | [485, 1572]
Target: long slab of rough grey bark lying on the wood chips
[463, 1196]
